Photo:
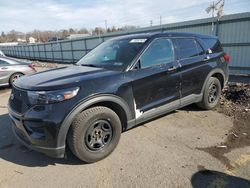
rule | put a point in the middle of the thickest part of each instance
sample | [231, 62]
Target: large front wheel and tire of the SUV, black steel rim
[85, 136]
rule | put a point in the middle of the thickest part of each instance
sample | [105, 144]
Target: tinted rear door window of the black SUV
[188, 48]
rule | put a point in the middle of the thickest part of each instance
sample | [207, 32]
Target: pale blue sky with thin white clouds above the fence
[27, 15]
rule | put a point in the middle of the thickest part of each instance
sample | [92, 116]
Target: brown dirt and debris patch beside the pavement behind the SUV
[235, 103]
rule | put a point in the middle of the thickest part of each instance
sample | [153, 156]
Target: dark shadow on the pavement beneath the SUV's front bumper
[11, 150]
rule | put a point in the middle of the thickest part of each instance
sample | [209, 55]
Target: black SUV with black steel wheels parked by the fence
[121, 83]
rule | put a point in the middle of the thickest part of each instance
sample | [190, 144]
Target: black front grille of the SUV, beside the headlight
[20, 102]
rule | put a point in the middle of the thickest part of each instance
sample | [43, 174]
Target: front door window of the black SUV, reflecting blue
[160, 51]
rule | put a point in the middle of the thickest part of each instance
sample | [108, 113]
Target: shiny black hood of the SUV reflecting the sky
[60, 78]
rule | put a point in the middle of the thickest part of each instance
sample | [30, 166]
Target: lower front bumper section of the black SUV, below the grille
[33, 140]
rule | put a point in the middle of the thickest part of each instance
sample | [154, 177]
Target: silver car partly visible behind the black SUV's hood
[12, 69]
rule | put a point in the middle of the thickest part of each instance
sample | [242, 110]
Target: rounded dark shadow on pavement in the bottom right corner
[209, 178]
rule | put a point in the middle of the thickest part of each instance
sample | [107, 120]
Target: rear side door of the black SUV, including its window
[194, 68]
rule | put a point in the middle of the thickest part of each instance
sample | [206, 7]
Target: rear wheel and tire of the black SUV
[211, 94]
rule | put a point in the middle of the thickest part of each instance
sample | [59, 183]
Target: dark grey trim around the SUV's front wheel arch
[113, 102]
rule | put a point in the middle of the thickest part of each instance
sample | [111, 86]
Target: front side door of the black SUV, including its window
[156, 81]
